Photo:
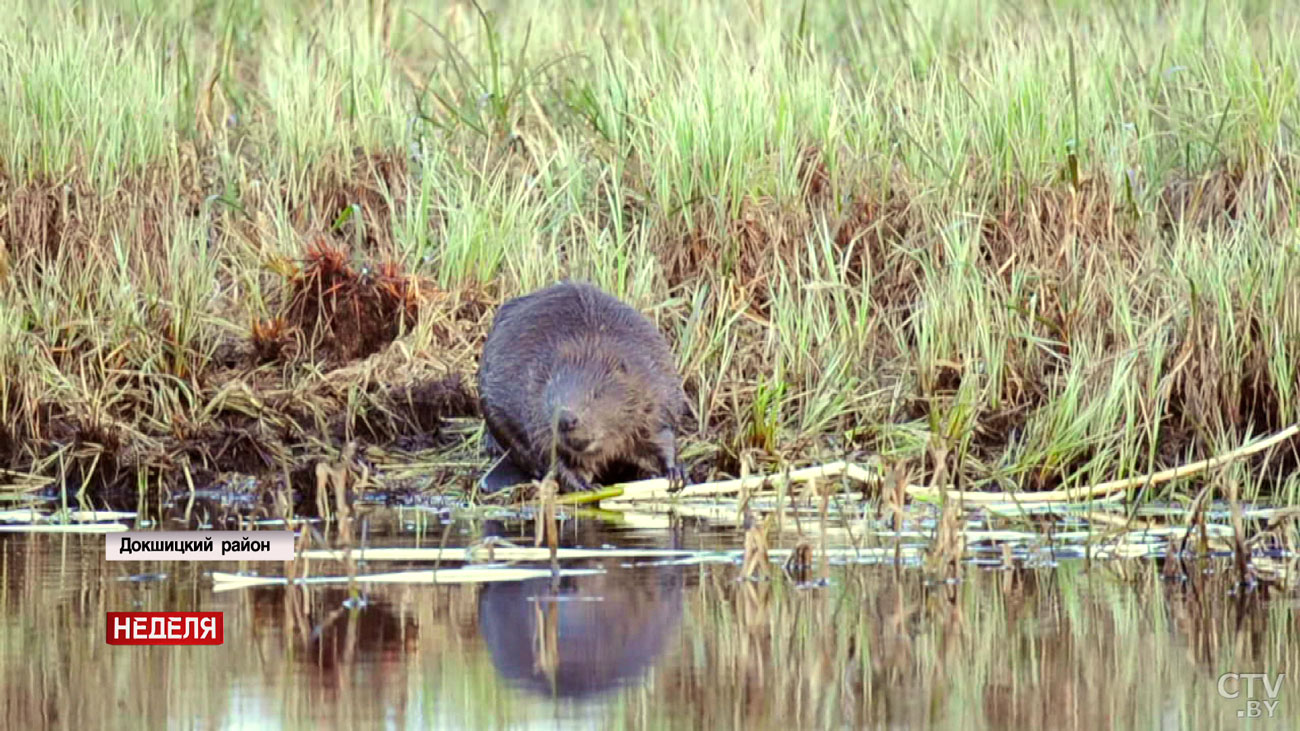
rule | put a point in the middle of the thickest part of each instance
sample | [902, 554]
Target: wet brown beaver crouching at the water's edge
[574, 373]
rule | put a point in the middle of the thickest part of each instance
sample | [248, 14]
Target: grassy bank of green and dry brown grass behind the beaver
[1021, 245]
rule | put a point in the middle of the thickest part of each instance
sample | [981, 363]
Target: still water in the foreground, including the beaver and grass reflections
[645, 645]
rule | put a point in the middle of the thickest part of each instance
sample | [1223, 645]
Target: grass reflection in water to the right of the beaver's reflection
[1060, 648]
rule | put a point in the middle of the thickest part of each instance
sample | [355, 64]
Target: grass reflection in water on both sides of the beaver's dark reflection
[1069, 647]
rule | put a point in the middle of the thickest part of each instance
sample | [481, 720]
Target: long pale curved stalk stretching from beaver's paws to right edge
[658, 488]
